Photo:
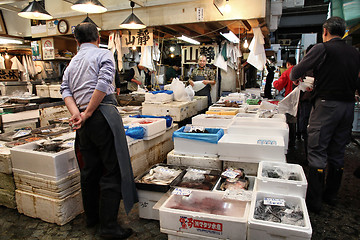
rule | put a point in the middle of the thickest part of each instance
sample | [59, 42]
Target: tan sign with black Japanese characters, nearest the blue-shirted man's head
[137, 38]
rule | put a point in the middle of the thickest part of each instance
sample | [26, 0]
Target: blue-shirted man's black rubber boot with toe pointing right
[109, 228]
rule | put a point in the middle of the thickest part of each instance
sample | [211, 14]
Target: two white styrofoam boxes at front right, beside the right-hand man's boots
[293, 192]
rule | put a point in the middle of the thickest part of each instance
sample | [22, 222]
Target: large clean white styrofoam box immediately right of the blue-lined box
[245, 148]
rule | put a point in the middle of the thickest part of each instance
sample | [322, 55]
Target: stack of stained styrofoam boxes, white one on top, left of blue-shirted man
[48, 184]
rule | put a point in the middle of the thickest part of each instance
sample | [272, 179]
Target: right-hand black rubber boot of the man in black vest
[333, 182]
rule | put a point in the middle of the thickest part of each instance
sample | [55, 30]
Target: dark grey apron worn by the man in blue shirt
[112, 116]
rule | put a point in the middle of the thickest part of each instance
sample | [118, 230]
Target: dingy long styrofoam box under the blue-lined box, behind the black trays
[194, 161]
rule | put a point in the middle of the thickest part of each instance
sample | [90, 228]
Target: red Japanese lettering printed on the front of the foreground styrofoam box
[212, 227]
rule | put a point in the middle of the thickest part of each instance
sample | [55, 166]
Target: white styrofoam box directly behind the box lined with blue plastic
[212, 120]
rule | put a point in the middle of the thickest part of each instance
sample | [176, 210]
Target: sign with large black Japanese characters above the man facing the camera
[190, 54]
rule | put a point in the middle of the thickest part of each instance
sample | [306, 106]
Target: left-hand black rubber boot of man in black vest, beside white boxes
[315, 189]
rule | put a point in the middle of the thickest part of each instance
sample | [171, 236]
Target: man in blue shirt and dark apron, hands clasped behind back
[106, 173]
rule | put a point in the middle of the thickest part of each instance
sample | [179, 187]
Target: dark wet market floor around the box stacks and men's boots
[341, 222]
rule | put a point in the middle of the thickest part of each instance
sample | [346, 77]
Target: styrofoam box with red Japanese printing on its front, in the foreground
[230, 224]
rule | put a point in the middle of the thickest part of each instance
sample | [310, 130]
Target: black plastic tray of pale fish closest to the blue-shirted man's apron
[158, 187]
